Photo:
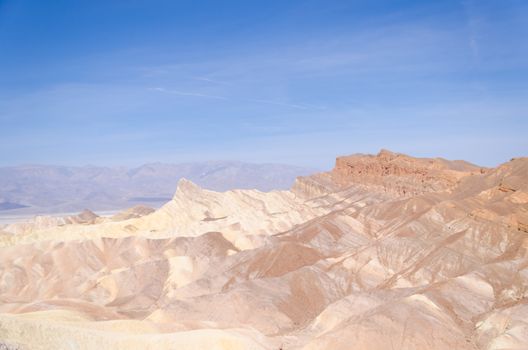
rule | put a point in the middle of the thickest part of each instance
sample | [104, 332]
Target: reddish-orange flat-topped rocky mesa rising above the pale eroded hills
[402, 174]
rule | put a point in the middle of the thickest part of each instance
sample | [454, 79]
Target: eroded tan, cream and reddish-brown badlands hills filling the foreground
[383, 252]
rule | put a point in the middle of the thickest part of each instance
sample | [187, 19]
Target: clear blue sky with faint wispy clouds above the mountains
[298, 82]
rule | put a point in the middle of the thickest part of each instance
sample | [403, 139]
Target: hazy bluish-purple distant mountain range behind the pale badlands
[43, 189]
